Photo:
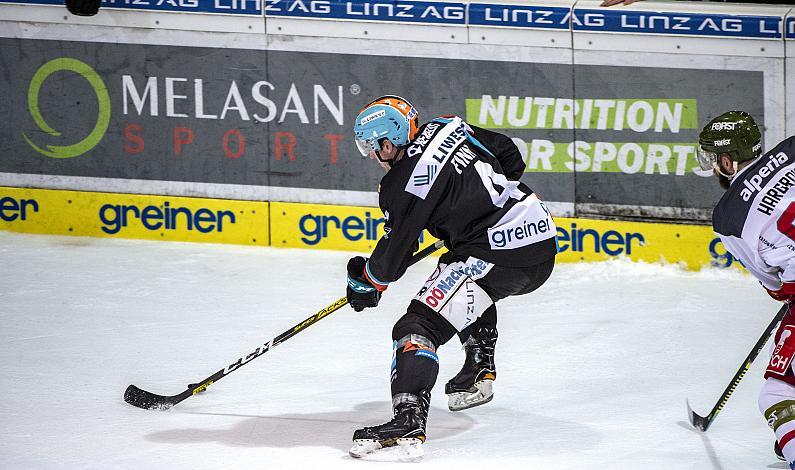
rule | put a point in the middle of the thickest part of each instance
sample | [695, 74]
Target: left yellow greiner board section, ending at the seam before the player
[133, 216]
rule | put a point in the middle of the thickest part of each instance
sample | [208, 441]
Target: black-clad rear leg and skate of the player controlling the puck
[473, 385]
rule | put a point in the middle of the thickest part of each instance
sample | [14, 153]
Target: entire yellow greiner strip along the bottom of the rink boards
[315, 226]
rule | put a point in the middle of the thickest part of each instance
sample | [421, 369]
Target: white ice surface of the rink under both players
[594, 368]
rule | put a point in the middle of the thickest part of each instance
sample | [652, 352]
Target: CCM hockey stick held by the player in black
[151, 401]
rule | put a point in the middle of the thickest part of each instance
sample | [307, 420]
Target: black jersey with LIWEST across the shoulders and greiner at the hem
[461, 184]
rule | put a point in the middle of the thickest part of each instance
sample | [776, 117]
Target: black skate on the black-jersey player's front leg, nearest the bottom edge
[405, 432]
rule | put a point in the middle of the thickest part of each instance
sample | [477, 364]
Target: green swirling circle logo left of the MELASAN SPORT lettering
[103, 99]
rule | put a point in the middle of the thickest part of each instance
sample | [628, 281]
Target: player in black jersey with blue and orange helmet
[461, 183]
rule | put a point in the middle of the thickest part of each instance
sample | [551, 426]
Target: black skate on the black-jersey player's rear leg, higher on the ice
[472, 386]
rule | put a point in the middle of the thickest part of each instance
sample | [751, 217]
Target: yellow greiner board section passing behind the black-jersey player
[359, 228]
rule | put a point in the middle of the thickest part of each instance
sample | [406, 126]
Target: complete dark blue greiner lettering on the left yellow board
[116, 217]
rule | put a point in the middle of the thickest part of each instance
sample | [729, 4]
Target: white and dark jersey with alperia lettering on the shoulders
[755, 218]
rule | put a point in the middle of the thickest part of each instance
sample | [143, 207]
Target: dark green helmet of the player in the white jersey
[734, 133]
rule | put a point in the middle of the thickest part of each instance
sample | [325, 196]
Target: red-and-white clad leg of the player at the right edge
[777, 397]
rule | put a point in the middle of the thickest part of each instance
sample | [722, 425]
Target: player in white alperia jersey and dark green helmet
[755, 220]
